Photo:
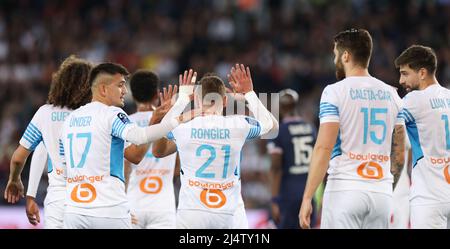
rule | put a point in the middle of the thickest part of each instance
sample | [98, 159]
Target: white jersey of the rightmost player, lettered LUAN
[427, 117]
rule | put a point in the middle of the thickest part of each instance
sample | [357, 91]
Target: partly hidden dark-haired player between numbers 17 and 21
[150, 188]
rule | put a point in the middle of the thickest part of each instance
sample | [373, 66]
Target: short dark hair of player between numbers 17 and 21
[144, 85]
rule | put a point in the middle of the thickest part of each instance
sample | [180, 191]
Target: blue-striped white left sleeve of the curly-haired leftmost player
[33, 133]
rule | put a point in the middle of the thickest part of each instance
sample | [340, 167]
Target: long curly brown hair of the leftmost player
[70, 87]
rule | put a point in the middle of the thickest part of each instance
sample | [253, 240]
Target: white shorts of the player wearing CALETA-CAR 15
[355, 210]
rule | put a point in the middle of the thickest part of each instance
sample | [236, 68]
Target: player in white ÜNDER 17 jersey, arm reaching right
[93, 139]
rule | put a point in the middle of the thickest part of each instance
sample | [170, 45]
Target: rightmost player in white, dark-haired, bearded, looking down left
[426, 113]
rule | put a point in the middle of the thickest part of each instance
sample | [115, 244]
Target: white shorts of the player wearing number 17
[78, 221]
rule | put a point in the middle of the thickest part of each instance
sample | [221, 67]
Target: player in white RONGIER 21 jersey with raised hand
[209, 148]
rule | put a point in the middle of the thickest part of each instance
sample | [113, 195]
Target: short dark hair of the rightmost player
[417, 57]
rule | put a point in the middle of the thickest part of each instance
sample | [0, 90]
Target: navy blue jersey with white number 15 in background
[295, 142]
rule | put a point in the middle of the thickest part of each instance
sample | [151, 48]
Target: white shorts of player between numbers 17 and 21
[155, 220]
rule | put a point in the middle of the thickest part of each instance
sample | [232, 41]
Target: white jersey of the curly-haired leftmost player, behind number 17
[46, 126]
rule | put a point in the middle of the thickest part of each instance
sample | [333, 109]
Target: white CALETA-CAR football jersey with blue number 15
[367, 110]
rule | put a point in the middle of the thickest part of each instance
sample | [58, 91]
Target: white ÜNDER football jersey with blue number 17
[94, 153]
